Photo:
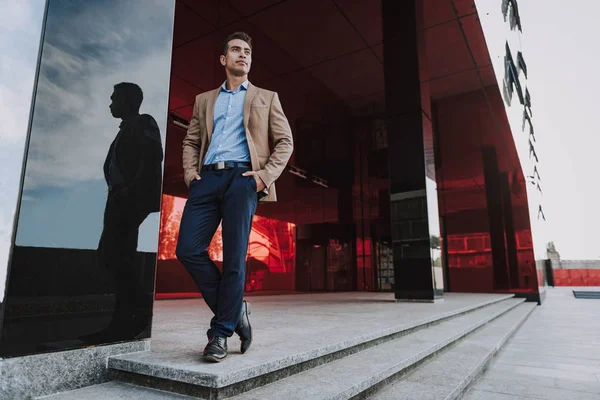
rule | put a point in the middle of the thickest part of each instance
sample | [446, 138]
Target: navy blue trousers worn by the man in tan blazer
[228, 197]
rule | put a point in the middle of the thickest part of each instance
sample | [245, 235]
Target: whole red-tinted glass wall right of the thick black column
[482, 194]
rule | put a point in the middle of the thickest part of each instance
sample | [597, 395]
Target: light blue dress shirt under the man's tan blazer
[228, 141]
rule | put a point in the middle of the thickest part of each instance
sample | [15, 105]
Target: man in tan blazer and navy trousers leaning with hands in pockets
[228, 168]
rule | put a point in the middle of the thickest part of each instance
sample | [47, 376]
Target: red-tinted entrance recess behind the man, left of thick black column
[330, 81]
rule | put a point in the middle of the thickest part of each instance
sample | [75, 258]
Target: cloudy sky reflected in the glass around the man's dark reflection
[89, 47]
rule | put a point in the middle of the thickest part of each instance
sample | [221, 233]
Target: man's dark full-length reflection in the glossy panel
[133, 174]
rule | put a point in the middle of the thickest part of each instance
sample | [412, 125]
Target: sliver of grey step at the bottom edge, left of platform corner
[116, 391]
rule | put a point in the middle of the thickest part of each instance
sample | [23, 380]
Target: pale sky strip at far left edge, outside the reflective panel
[20, 29]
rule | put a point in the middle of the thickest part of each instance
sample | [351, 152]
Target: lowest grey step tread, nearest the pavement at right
[448, 375]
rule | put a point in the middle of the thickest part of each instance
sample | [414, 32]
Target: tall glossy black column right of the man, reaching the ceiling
[413, 196]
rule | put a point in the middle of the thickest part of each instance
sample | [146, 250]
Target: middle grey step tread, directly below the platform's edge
[358, 375]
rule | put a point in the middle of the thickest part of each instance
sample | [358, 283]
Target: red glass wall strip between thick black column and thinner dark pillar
[462, 191]
